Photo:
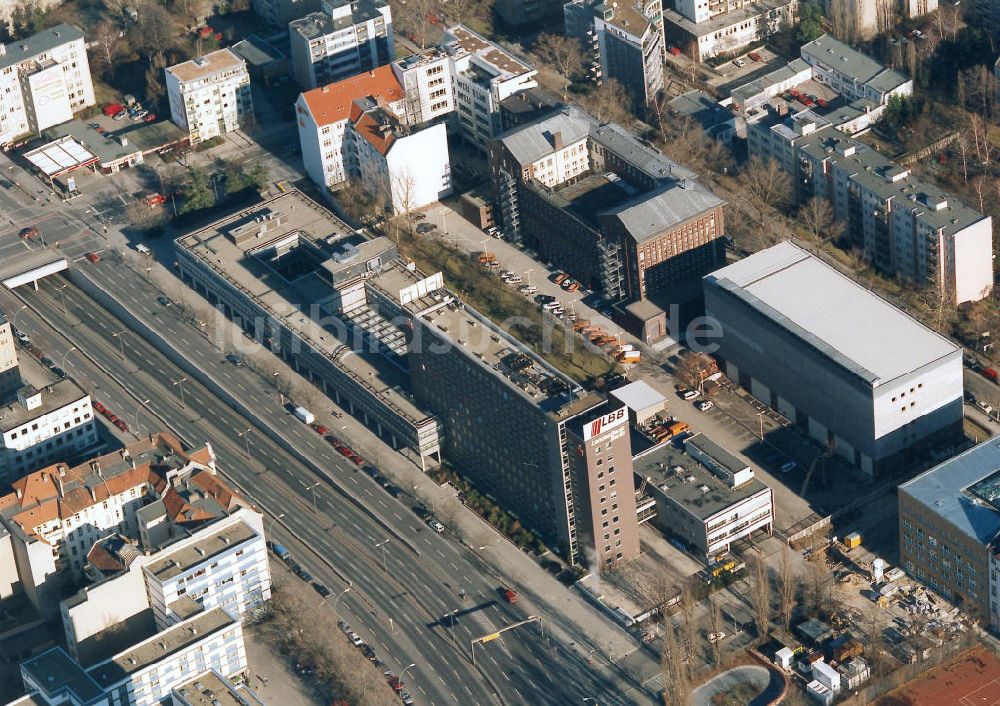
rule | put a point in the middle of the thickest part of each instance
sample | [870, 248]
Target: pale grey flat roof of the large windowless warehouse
[838, 317]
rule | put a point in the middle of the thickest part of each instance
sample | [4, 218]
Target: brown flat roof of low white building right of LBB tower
[670, 469]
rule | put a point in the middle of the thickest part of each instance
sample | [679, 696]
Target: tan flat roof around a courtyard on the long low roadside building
[297, 293]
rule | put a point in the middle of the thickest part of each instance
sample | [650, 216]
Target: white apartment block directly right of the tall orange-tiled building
[426, 81]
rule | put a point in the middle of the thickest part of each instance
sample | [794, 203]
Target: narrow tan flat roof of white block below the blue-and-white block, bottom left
[161, 646]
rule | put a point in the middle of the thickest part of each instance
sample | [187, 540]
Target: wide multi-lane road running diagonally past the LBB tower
[402, 607]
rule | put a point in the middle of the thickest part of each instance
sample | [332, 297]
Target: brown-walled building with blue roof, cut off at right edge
[949, 529]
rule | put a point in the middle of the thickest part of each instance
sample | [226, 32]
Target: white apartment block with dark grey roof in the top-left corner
[44, 80]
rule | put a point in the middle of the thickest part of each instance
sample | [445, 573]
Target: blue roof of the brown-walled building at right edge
[944, 490]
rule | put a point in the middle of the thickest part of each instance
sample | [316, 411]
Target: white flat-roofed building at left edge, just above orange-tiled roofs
[42, 425]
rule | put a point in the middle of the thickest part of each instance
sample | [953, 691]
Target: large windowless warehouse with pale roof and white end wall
[857, 373]
